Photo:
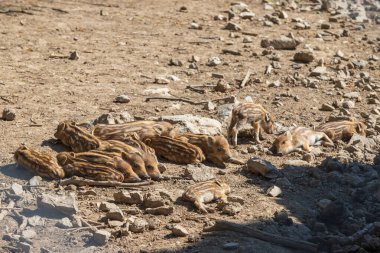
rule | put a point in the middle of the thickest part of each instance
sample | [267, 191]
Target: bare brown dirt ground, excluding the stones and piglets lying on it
[122, 47]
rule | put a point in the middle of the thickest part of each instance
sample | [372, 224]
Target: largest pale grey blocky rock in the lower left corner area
[65, 204]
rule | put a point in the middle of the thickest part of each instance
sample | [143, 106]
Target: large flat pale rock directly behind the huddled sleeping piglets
[194, 124]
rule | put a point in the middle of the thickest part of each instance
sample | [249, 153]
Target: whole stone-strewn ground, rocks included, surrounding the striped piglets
[305, 61]
